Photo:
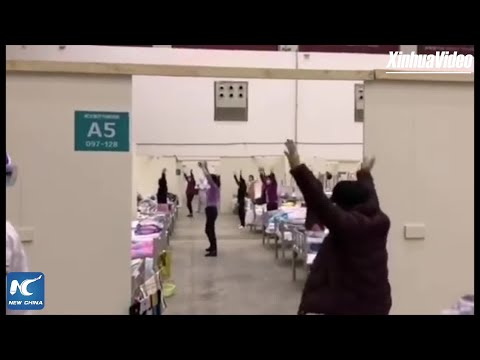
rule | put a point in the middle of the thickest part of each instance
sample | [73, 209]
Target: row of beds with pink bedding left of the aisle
[151, 234]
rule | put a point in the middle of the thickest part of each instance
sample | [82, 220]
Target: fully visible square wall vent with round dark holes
[231, 100]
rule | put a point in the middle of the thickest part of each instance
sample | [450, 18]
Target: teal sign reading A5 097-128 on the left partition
[102, 131]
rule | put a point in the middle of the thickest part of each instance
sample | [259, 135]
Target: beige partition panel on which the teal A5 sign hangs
[74, 207]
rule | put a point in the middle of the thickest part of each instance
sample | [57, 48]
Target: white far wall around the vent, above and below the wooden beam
[179, 111]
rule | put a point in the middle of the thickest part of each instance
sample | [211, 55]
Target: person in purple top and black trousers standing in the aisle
[211, 211]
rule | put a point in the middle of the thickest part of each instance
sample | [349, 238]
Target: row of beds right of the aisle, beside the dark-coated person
[285, 228]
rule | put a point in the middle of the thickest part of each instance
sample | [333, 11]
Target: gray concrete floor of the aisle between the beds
[244, 279]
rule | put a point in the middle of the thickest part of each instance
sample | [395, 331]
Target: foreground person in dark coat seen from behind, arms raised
[350, 275]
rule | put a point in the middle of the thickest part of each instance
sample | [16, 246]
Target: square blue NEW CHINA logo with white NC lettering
[25, 291]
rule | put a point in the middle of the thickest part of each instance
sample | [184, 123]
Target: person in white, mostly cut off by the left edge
[16, 260]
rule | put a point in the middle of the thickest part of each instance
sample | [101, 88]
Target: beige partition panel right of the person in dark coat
[423, 136]
